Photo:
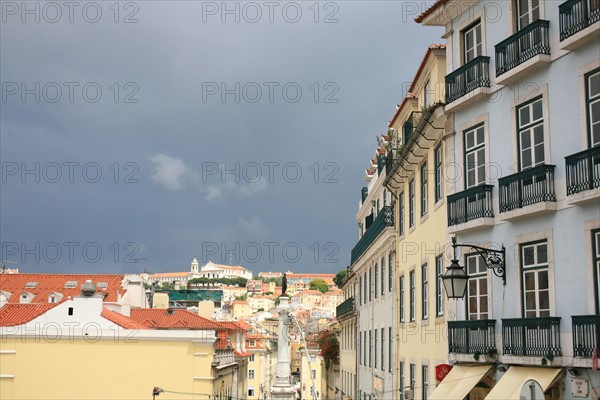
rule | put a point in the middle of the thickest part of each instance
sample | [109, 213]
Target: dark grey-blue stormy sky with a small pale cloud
[139, 135]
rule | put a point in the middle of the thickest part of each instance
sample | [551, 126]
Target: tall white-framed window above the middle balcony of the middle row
[530, 132]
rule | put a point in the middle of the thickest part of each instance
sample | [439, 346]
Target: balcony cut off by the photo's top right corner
[574, 19]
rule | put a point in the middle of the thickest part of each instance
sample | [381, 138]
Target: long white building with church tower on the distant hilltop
[208, 270]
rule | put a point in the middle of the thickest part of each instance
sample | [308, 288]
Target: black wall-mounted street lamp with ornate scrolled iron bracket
[455, 279]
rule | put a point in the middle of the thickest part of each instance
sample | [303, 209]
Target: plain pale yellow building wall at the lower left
[103, 370]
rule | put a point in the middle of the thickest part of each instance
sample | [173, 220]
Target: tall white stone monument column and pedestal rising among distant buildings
[283, 389]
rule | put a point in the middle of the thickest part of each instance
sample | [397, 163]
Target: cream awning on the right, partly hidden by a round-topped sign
[509, 386]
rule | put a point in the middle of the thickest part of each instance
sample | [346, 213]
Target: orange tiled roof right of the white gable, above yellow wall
[179, 319]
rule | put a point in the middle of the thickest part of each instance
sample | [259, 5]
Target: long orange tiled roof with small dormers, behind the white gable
[49, 283]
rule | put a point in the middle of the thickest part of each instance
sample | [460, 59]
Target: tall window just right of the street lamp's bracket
[536, 291]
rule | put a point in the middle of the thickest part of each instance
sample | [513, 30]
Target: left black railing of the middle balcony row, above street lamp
[470, 204]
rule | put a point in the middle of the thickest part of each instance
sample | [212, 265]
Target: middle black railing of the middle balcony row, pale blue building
[530, 186]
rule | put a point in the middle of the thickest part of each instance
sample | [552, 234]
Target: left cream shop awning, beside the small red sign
[459, 382]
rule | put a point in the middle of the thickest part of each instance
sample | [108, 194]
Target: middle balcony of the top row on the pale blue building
[523, 52]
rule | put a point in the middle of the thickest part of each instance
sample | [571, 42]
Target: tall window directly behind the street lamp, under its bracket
[477, 290]
